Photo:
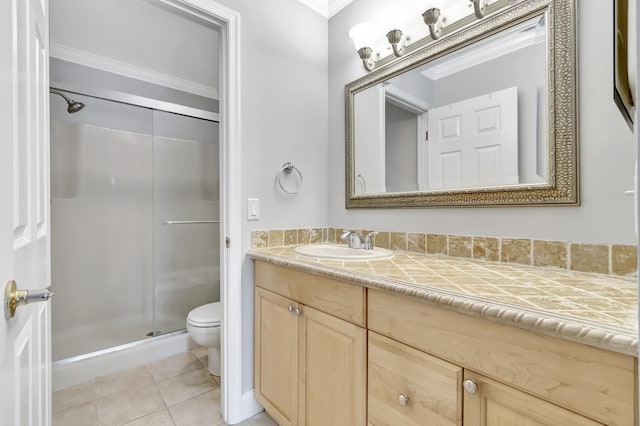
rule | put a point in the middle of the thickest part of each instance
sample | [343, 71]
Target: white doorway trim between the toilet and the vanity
[235, 405]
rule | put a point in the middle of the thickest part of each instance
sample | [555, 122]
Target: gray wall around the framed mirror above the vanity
[607, 151]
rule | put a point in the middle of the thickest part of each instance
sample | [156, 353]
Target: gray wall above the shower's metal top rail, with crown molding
[137, 32]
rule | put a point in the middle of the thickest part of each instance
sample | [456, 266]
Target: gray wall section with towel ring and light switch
[284, 118]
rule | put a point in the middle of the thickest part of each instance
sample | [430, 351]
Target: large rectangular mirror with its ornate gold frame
[470, 119]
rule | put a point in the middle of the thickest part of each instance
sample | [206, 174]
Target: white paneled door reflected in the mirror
[474, 143]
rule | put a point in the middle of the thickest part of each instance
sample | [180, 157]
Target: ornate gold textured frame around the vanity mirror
[562, 120]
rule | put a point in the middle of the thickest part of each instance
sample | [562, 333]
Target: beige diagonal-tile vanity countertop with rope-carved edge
[596, 310]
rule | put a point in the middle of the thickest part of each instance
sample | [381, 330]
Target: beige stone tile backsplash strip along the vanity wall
[609, 259]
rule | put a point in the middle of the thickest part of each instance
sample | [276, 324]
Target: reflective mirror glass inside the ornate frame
[470, 119]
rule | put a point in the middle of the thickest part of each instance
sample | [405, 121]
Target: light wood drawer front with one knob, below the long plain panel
[410, 387]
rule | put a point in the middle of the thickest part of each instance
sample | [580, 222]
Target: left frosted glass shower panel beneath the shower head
[101, 237]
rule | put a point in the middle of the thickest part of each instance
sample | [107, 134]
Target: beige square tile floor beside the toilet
[175, 391]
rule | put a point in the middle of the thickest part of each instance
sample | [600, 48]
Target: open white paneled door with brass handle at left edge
[25, 340]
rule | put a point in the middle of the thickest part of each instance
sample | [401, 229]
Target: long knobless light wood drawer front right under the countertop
[596, 383]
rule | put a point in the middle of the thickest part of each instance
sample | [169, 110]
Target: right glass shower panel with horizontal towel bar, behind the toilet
[186, 217]
